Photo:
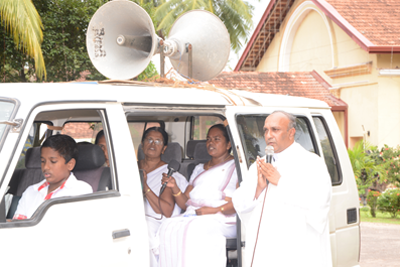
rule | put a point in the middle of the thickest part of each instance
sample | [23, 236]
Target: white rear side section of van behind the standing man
[246, 125]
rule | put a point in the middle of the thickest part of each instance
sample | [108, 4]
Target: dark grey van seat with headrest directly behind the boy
[90, 167]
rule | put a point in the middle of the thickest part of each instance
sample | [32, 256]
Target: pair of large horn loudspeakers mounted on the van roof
[121, 42]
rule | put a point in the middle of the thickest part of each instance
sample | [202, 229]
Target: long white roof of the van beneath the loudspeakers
[34, 93]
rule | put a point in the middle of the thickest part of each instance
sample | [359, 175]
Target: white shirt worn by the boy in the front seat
[32, 198]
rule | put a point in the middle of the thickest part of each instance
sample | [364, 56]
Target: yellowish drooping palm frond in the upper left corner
[23, 22]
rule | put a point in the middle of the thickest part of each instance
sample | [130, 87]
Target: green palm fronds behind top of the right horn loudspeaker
[235, 14]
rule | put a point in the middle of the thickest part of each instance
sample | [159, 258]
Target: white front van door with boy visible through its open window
[106, 228]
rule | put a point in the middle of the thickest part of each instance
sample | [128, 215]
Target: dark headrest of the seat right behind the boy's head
[89, 157]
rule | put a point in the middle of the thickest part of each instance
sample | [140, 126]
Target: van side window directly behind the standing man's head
[252, 135]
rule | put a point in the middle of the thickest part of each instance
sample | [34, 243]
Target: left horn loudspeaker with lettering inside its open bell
[121, 40]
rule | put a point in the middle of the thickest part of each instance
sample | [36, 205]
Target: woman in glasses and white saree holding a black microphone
[157, 208]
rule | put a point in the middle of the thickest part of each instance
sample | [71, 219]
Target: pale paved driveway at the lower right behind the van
[380, 245]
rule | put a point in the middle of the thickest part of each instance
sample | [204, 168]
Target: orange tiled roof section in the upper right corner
[377, 20]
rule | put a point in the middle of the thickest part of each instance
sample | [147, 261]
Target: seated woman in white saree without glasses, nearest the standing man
[198, 237]
